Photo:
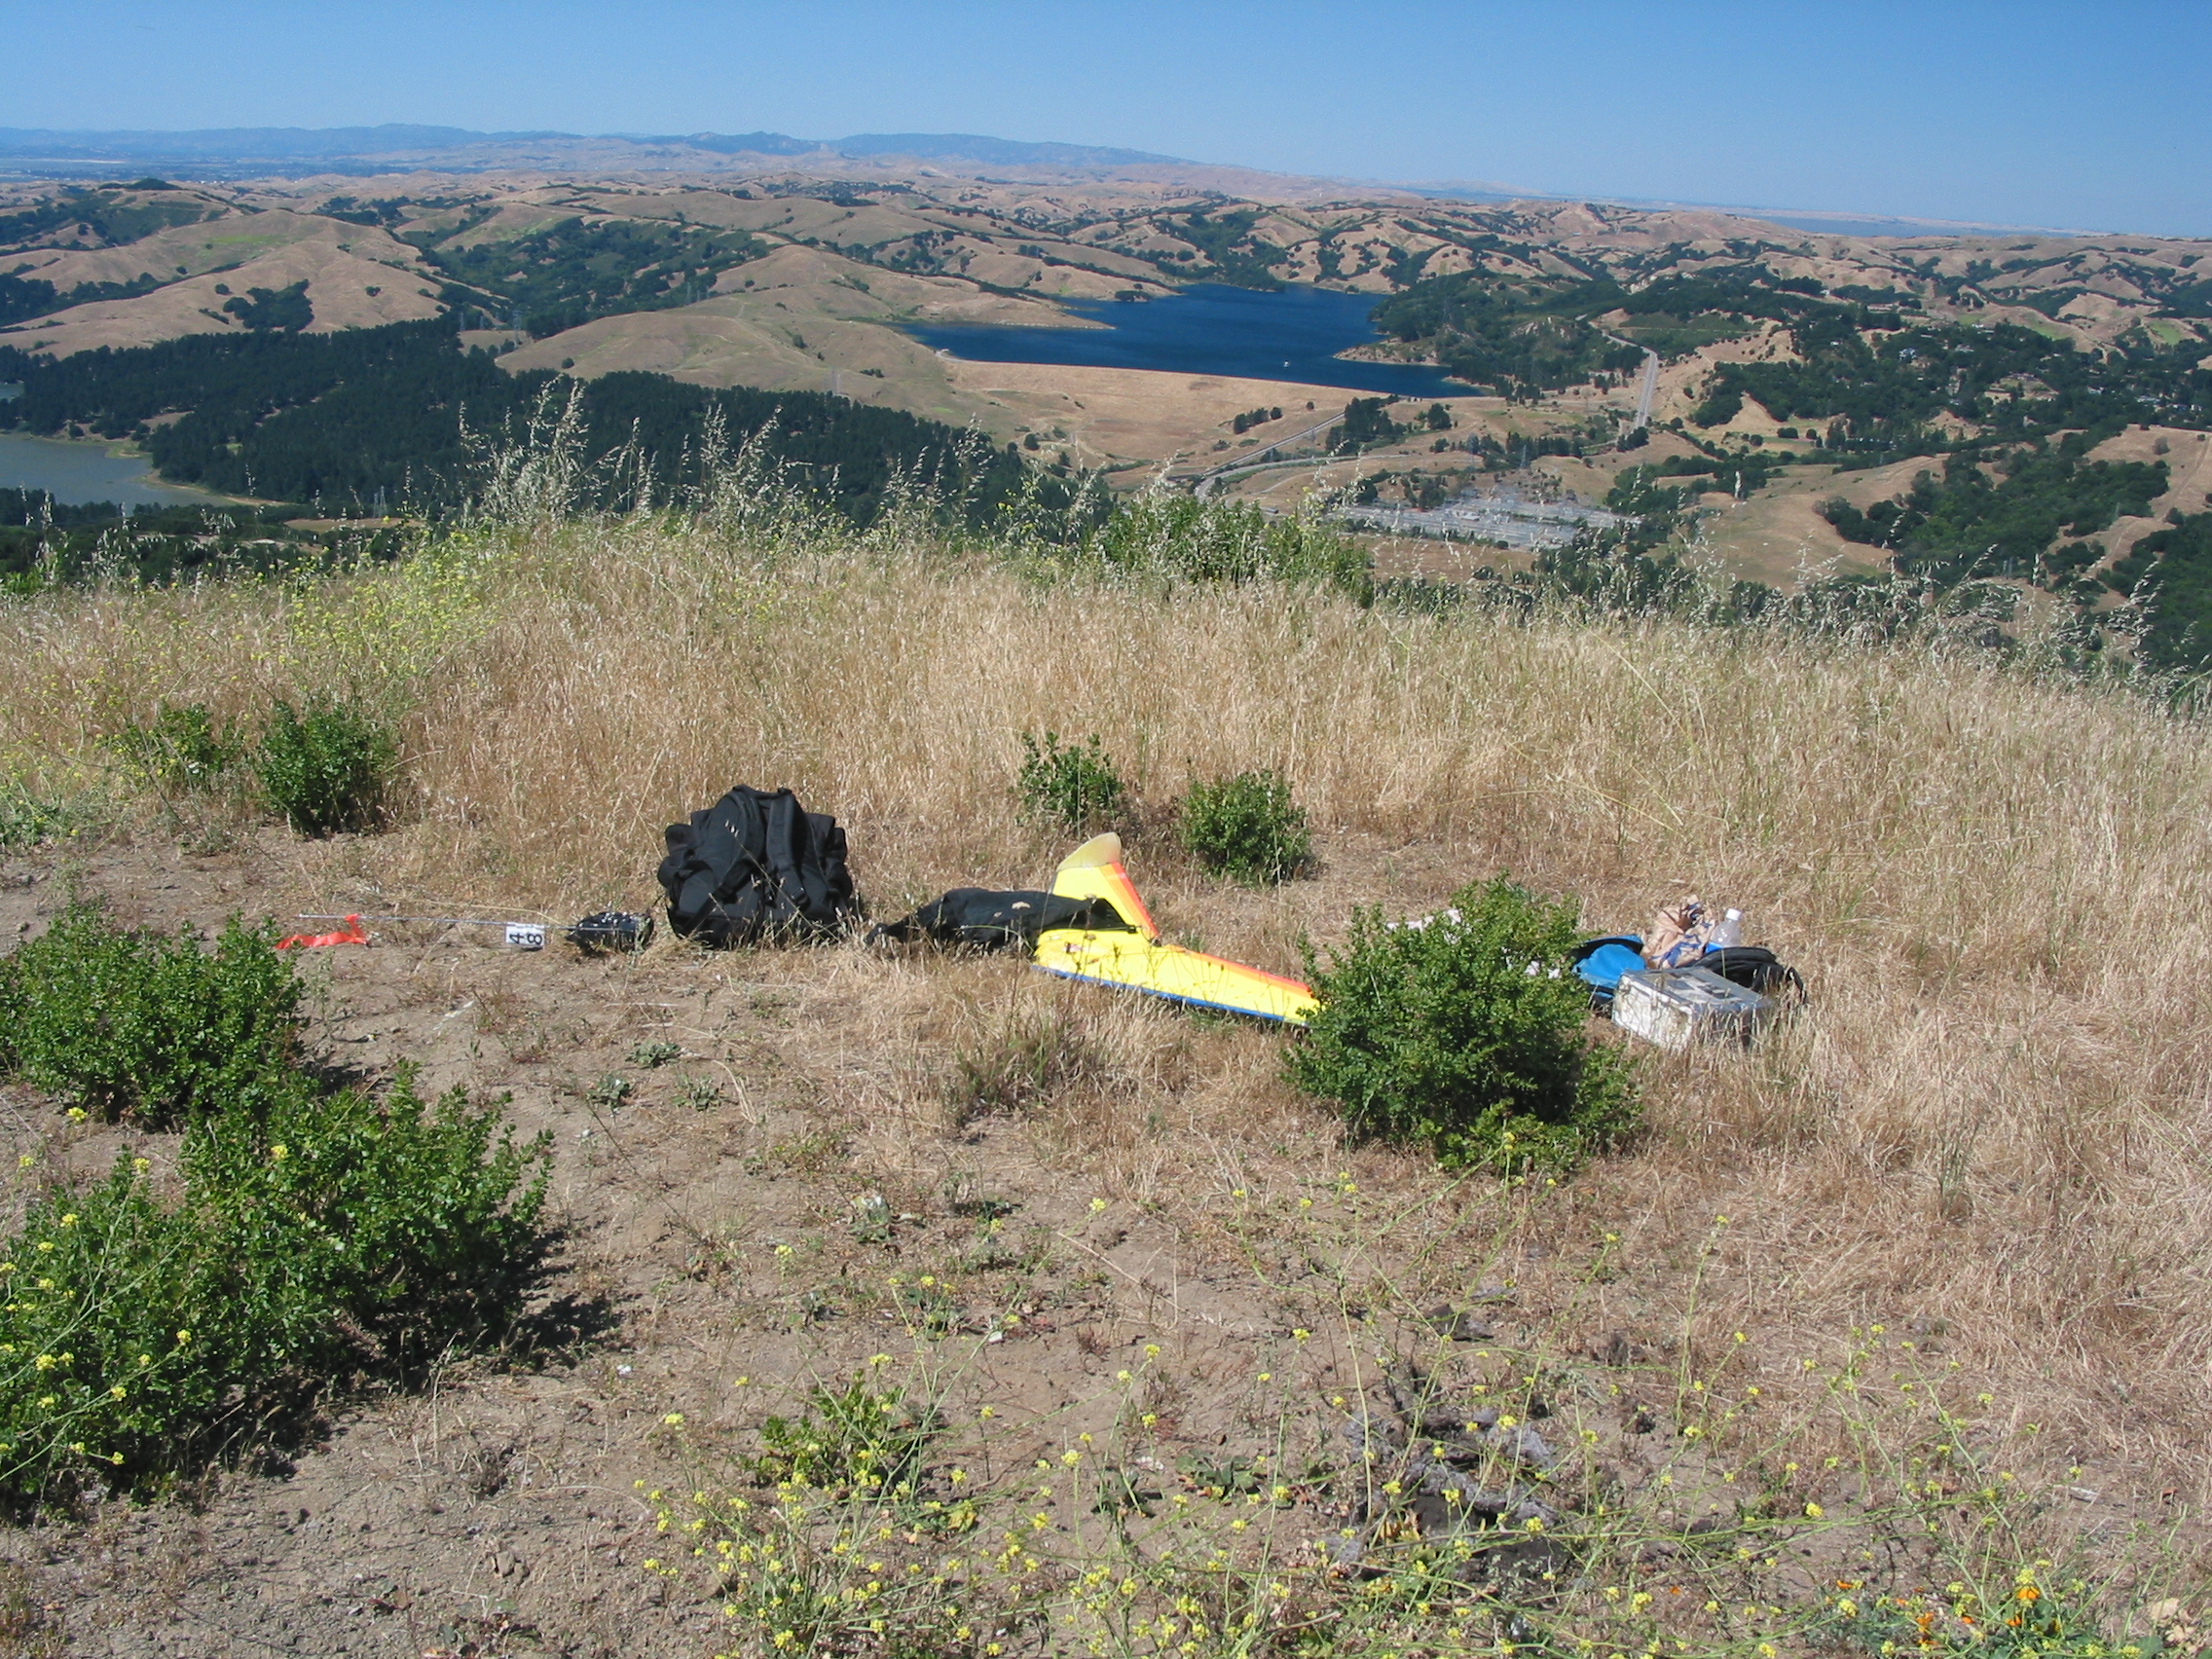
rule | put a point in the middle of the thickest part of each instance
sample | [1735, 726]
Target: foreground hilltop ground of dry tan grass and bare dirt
[1910, 1295]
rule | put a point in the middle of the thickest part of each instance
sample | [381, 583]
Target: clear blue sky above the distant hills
[2078, 116]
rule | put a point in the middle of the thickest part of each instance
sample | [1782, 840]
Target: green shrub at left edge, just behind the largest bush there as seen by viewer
[149, 1025]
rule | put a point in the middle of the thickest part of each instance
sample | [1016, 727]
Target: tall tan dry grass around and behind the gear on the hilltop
[1992, 1123]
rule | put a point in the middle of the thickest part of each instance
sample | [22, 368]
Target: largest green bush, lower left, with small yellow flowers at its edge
[317, 1238]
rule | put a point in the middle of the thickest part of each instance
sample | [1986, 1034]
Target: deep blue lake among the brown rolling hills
[1291, 335]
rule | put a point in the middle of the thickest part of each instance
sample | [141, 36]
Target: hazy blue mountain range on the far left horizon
[251, 152]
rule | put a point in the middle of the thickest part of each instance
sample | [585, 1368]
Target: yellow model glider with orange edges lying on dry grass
[1140, 963]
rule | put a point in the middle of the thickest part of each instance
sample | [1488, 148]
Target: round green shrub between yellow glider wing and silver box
[1468, 1034]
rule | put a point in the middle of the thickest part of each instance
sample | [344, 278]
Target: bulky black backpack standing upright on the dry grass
[758, 866]
